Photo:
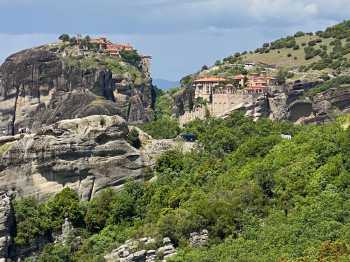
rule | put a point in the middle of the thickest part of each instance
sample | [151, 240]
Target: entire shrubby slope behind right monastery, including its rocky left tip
[327, 51]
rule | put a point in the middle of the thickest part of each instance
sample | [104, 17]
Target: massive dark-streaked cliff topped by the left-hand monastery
[42, 86]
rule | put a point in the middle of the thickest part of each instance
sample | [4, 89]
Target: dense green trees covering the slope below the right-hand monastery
[261, 197]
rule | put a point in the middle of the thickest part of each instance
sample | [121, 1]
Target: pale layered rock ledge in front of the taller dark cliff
[87, 154]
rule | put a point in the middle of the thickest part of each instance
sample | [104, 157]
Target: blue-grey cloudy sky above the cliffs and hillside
[180, 35]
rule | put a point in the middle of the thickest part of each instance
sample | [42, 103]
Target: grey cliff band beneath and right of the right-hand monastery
[280, 103]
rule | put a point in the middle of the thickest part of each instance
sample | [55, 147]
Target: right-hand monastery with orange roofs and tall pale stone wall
[218, 96]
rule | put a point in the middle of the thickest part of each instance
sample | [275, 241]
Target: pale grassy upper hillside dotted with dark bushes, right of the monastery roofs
[324, 49]
